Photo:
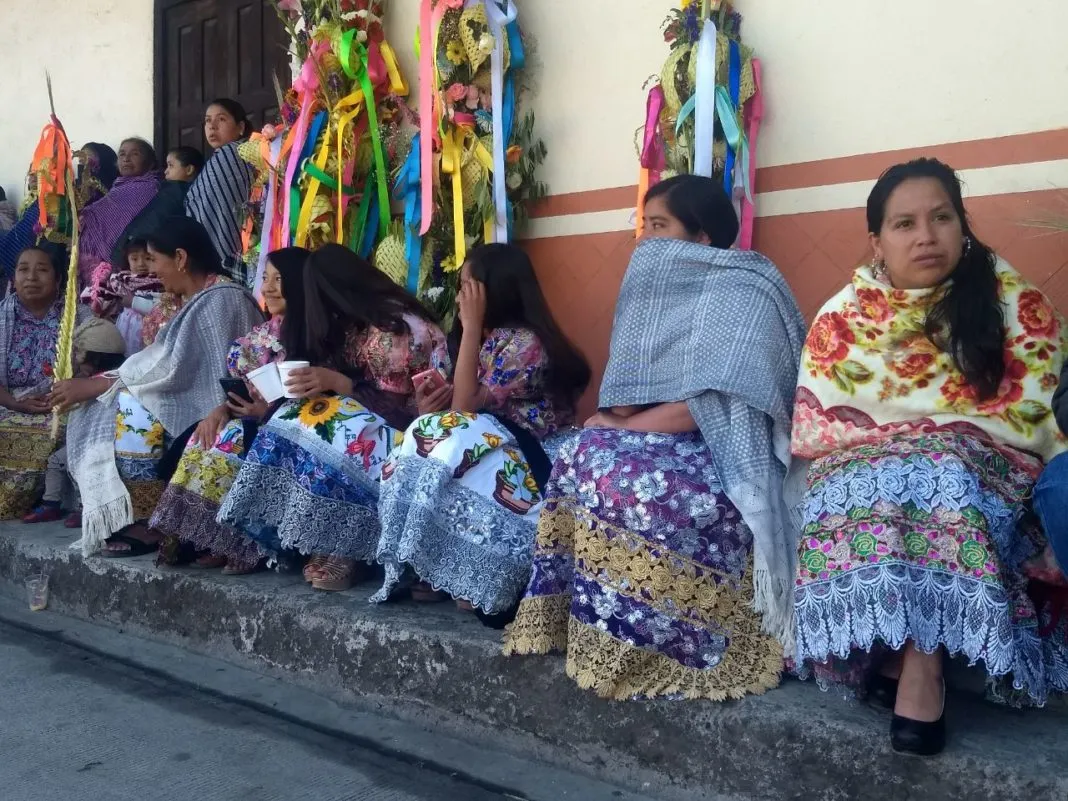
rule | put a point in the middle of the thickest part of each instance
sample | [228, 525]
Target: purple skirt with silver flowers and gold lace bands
[643, 574]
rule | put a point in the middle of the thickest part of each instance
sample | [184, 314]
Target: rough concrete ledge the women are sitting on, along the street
[437, 667]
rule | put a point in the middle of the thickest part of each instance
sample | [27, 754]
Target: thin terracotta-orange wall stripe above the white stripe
[1020, 149]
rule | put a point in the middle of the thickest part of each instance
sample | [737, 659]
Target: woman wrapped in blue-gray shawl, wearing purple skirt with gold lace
[664, 563]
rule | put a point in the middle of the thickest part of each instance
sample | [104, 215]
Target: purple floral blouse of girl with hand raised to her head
[514, 368]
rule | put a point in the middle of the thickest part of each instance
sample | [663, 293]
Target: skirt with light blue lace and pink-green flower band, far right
[921, 539]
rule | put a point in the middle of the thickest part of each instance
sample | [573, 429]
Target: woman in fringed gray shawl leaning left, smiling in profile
[124, 421]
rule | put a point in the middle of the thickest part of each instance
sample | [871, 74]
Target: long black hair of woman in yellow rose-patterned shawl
[968, 322]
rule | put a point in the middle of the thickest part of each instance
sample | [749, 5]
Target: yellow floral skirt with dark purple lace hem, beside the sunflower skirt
[190, 508]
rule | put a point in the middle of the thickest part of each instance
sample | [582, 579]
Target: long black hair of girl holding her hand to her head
[514, 300]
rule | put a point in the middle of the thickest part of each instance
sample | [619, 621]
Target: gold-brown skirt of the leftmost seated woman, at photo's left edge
[26, 444]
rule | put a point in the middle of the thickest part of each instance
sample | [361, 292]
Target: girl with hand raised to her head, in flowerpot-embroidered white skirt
[462, 496]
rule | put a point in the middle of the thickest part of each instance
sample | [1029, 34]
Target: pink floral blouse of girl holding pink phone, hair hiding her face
[389, 362]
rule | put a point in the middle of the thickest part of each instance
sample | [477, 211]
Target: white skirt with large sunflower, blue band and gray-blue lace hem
[310, 480]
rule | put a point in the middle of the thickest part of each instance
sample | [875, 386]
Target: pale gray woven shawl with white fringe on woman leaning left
[177, 380]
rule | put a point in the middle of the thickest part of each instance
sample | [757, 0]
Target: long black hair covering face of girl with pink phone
[342, 291]
